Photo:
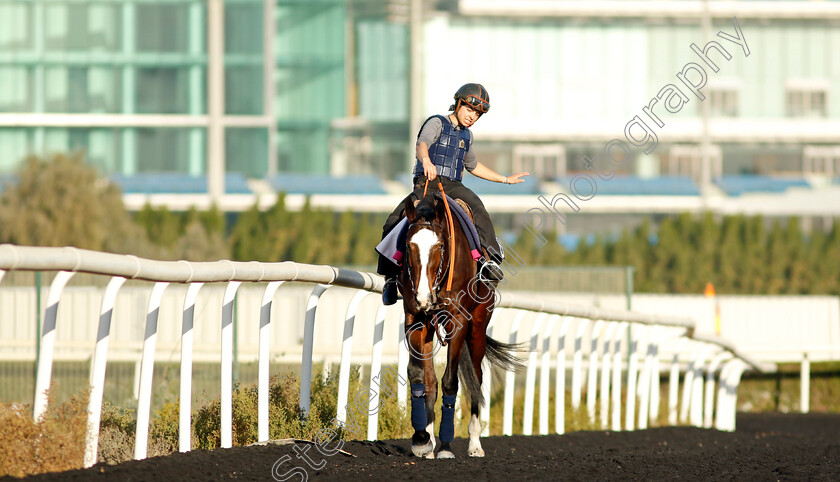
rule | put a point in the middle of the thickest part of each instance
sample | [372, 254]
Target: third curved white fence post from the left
[147, 370]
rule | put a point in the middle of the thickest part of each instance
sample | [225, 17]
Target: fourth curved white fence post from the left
[185, 404]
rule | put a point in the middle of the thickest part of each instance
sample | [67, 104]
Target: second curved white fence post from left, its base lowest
[97, 373]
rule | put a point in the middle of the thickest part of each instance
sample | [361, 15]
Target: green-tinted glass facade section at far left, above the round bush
[127, 82]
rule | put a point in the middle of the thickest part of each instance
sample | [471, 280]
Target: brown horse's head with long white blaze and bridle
[426, 254]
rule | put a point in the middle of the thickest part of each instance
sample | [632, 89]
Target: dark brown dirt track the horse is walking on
[765, 447]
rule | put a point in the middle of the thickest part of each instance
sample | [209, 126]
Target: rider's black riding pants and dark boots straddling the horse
[455, 190]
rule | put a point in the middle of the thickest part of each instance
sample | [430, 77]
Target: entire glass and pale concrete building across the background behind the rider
[261, 87]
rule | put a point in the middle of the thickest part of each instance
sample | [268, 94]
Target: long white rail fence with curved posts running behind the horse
[649, 339]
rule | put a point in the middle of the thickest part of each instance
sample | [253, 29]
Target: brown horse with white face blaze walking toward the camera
[442, 292]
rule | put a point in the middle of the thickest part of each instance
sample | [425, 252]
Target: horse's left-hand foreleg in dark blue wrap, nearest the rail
[422, 443]
